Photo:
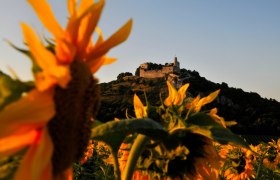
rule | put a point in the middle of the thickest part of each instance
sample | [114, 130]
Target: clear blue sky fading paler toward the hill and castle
[231, 41]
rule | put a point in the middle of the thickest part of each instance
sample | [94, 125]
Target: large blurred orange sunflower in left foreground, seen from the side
[54, 117]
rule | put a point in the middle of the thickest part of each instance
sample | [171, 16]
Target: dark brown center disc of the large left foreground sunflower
[70, 127]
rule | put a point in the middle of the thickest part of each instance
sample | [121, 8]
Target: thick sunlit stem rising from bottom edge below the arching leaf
[136, 150]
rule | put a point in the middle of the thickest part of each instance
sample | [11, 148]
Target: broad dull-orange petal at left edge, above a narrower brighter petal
[30, 112]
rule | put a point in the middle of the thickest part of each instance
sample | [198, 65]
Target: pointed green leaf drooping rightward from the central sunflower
[203, 124]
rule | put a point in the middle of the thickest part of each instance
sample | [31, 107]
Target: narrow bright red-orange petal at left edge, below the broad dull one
[10, 145]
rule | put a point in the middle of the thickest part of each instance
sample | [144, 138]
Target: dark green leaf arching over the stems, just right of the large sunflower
[114, 132]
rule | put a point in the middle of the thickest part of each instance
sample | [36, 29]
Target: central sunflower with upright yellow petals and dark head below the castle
[185, 154]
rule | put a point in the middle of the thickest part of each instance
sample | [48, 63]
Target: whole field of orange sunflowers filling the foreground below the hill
[48, 128]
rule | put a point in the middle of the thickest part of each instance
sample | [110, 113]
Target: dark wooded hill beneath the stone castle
[254, 114]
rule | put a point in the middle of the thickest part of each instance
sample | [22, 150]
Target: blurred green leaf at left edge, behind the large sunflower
[11, 89]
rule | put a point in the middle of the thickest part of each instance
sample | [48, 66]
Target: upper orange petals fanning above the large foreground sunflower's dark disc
[72, 43]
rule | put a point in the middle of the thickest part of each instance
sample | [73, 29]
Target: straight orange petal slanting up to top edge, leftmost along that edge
[44, 12]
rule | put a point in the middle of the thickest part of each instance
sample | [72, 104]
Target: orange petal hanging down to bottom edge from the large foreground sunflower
[36, 163]
